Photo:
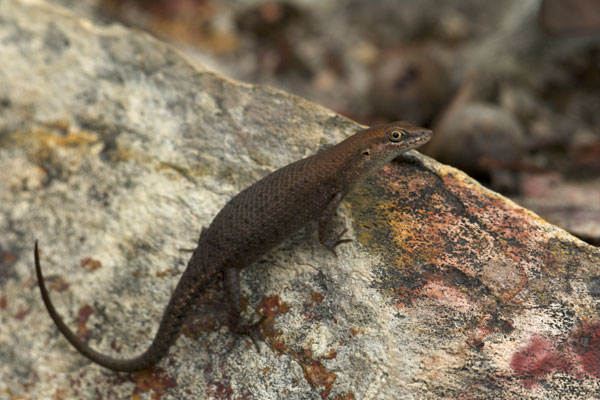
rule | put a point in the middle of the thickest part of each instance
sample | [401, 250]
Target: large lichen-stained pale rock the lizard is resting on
[115, 150]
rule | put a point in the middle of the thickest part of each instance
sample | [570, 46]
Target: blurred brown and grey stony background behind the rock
[511, 87]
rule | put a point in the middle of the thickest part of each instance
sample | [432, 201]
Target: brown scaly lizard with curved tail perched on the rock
[252, 223]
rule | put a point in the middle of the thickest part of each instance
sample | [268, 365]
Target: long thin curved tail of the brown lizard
[172, 320]
